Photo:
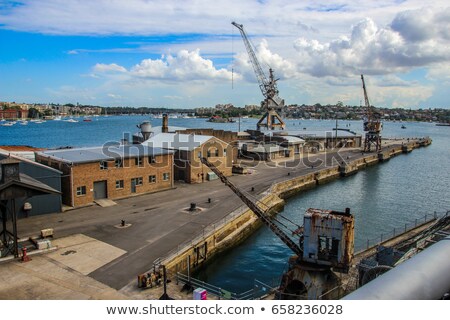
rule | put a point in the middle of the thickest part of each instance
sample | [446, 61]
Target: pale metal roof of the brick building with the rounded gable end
[177, 141]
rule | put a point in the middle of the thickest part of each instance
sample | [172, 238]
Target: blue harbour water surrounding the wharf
[381, 197]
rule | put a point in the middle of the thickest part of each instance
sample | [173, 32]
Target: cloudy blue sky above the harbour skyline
[187, 54]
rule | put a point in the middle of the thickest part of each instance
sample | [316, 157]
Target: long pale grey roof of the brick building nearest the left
[111, 152]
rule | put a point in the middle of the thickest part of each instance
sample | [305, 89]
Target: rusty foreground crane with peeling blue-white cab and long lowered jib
[325, 245]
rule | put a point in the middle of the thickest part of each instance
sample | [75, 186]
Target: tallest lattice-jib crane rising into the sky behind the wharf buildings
[268, 86]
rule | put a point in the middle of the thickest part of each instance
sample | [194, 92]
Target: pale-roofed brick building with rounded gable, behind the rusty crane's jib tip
[189, 148]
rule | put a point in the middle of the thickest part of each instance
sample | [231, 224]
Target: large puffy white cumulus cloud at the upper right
[381, 50]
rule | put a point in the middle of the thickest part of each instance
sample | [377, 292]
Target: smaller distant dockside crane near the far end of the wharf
[372, 125]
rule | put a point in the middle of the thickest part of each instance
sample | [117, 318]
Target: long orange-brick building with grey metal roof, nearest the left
[110, 172]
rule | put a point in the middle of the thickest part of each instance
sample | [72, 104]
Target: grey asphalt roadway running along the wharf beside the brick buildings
[160, 221]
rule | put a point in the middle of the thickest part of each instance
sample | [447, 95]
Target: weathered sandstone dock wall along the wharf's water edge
[237, 226]
